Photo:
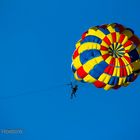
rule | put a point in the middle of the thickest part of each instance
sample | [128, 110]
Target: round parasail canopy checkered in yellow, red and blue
[107, 56]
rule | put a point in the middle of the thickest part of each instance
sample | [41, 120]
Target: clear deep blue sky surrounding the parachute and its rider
[37, 38]
